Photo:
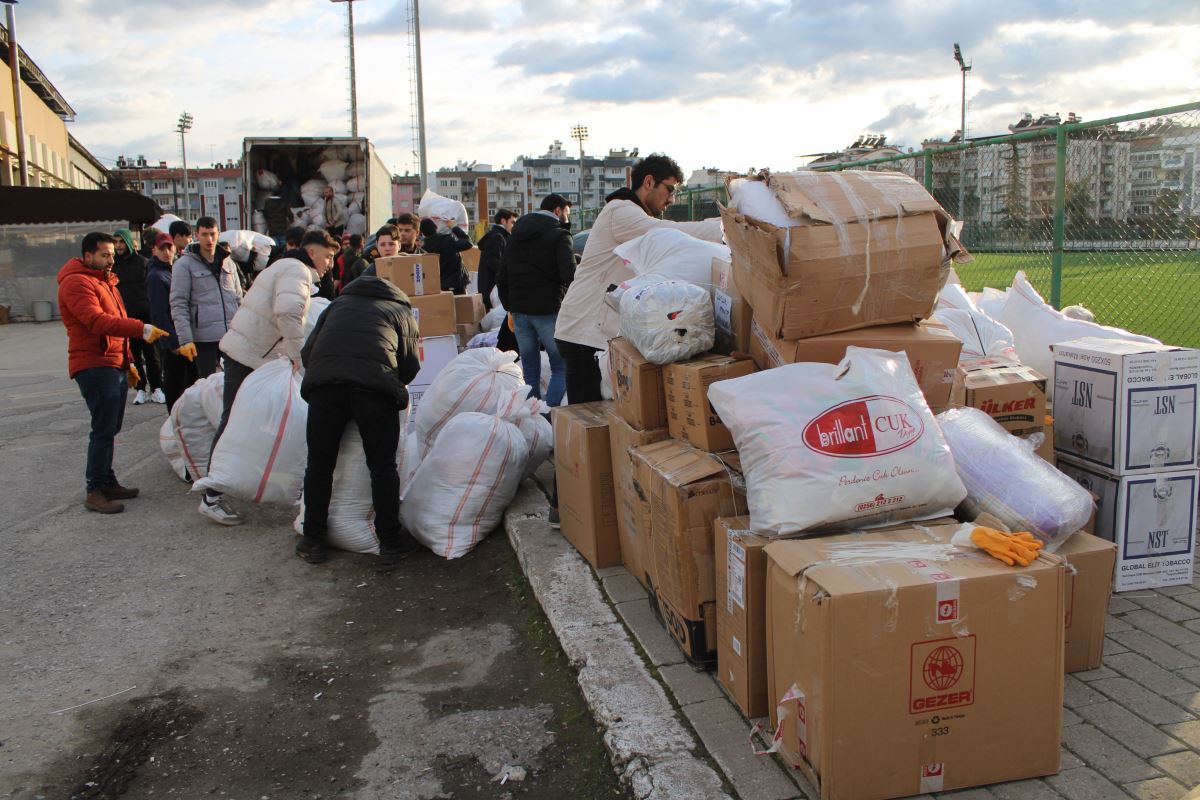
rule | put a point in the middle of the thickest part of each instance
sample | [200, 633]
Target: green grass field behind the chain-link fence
[1156, 293]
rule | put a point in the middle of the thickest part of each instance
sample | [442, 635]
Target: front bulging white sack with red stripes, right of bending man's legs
[465, 483]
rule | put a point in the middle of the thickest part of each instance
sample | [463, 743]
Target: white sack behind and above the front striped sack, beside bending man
[476, 381]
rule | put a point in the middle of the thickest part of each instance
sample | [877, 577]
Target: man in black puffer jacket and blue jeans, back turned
[536, 270]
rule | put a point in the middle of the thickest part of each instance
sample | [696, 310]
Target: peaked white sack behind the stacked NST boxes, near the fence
[1037, 327]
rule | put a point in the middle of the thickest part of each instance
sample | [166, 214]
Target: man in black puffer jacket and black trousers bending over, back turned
[358, 362]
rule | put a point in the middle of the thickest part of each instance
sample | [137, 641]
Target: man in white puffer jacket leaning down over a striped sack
[269, 323]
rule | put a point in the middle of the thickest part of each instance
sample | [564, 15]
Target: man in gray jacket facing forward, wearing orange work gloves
[206, 293]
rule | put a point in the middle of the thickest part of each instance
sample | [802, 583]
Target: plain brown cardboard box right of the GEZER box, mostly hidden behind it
[1089, 587]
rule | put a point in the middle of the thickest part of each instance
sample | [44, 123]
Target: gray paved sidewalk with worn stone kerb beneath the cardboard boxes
[1131, 729]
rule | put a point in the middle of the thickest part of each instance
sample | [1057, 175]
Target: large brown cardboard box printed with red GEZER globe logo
[902, 677]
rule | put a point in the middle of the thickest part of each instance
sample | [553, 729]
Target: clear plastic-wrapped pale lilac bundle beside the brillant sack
[1007, 479]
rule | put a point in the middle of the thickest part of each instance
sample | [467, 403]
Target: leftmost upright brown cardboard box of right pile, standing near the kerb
[584, 473]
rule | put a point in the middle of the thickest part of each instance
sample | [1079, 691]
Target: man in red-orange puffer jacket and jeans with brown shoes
[100, 360]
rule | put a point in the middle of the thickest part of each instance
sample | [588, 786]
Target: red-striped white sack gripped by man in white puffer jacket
[263, 452]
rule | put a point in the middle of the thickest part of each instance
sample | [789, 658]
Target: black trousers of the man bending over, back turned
[379, 419]
